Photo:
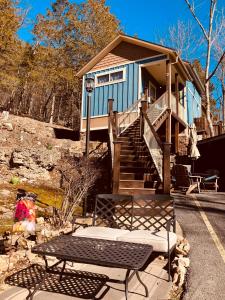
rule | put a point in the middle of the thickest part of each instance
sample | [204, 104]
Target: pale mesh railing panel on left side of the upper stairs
[128, 117]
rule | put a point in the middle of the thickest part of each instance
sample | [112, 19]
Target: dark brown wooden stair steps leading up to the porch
[136, 164]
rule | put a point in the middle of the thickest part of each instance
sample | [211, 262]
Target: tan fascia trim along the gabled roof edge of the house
[135, 41]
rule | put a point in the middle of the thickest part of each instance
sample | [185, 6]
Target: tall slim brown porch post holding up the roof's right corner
[168, 89]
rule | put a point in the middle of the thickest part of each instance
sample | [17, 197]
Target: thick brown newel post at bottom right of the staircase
[166, 168]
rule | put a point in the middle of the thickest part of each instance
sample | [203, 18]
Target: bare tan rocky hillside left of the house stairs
[31, 149]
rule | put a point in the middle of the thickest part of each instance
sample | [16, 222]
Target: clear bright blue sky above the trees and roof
[145, 18]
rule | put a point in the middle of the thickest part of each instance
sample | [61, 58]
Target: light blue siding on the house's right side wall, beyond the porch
[193, 103]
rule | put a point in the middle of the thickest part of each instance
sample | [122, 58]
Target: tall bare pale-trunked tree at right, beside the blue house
[209, 35]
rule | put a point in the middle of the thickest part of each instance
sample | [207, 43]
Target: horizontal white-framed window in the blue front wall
[110, 77]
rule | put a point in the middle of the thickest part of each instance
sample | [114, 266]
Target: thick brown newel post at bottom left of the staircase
[116, 167]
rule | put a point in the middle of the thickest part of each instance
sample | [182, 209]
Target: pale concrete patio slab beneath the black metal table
[154, 276]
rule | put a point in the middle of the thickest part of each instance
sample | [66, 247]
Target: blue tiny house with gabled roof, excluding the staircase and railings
[128, 68]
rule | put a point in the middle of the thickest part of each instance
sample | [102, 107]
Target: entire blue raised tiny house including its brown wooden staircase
[144, 99]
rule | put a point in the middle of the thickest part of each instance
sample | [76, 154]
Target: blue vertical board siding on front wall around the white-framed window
[124, 93]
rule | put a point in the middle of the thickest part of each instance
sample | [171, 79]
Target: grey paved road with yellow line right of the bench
[202, 217]
